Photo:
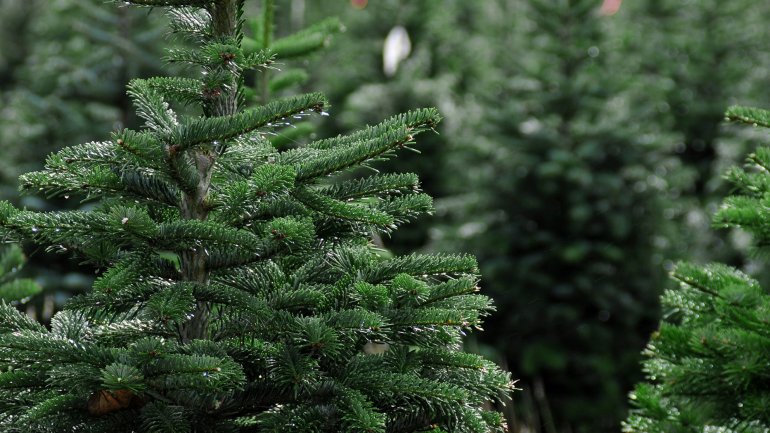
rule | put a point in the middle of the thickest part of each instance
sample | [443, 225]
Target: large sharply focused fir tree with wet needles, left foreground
[239, 288]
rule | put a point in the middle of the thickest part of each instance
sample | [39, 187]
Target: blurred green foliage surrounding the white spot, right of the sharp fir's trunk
[449, 53]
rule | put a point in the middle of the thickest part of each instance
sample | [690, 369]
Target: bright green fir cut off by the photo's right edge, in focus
[707, 364]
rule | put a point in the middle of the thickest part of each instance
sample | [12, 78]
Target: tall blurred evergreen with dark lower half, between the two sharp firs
[564, 209]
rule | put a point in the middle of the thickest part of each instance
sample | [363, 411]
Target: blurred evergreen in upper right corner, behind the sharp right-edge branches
[693, 60]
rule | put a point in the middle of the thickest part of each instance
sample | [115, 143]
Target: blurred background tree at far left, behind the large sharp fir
[64, 65]
